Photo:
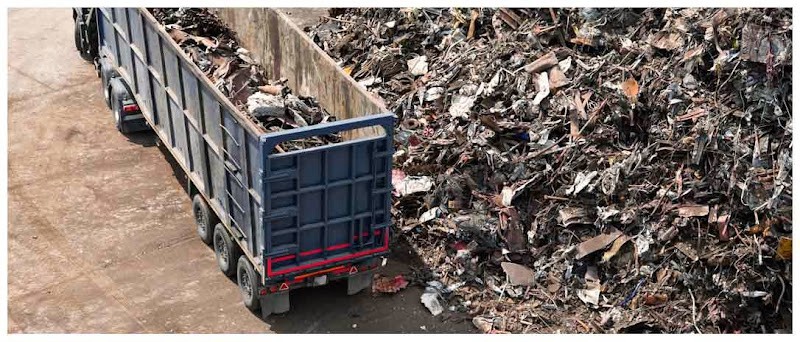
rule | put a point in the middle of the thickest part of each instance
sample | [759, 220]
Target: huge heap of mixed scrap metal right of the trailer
[588, 170]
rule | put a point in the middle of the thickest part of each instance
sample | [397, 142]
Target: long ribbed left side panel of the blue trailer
[218, 149]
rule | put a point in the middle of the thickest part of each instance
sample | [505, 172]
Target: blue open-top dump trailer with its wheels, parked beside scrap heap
[276, 221]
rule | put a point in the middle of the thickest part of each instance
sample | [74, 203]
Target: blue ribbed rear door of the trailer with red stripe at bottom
[328, 204]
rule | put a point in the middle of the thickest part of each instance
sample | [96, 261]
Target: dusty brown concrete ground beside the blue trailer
[101, 234]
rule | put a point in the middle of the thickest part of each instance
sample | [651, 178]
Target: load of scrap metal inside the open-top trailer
[213, 47]
